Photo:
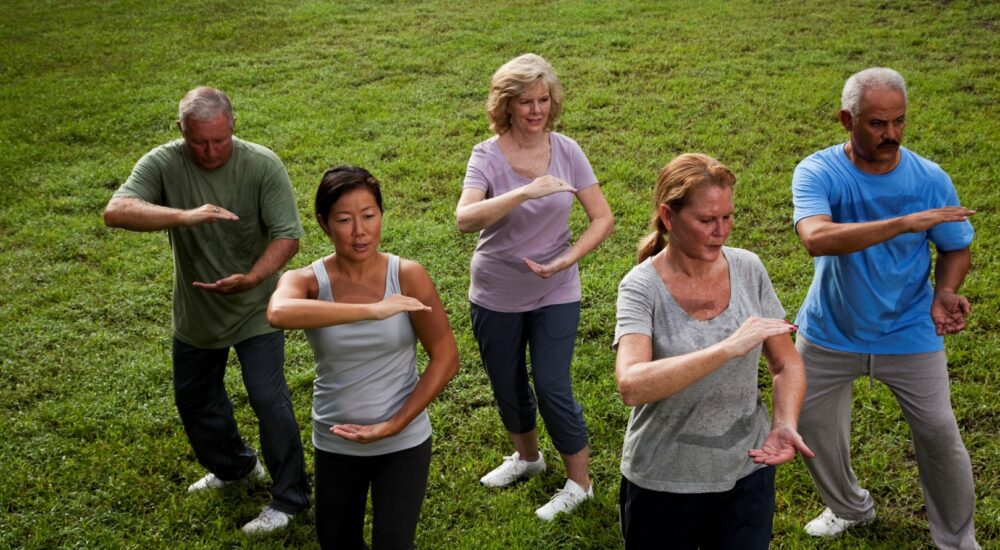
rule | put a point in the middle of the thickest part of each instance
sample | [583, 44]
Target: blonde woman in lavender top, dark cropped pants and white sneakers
[518, 193]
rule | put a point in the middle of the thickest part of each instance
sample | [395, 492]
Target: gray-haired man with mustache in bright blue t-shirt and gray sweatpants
[867, 210]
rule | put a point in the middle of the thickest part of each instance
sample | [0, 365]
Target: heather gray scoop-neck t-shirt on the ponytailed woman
[696, 441]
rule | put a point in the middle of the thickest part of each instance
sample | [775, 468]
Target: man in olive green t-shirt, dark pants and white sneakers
[230, 214]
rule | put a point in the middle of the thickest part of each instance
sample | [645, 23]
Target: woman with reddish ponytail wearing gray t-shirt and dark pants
[693, 318]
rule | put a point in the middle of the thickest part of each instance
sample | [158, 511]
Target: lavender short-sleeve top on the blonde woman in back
[537, 229]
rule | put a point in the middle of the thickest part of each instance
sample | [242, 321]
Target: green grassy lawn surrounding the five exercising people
[92, 453]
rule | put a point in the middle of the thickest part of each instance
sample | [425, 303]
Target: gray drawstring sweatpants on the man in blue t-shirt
[920, 384]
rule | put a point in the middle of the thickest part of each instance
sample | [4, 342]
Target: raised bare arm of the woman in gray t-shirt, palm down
[644, 380]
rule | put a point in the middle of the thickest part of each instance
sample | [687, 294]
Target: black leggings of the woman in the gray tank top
[398, 482]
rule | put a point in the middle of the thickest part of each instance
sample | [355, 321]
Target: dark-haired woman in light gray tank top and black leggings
[363, 311]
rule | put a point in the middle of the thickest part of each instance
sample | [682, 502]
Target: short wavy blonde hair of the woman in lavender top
[516, 77]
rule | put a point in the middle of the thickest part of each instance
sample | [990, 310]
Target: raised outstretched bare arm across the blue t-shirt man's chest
[824, 237]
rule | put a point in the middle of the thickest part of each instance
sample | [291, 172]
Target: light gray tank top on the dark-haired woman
[364, 373]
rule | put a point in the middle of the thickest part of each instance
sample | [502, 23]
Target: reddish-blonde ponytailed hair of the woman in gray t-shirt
[677, 180]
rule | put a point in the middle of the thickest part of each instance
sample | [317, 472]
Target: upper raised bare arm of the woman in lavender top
[475, 212]
